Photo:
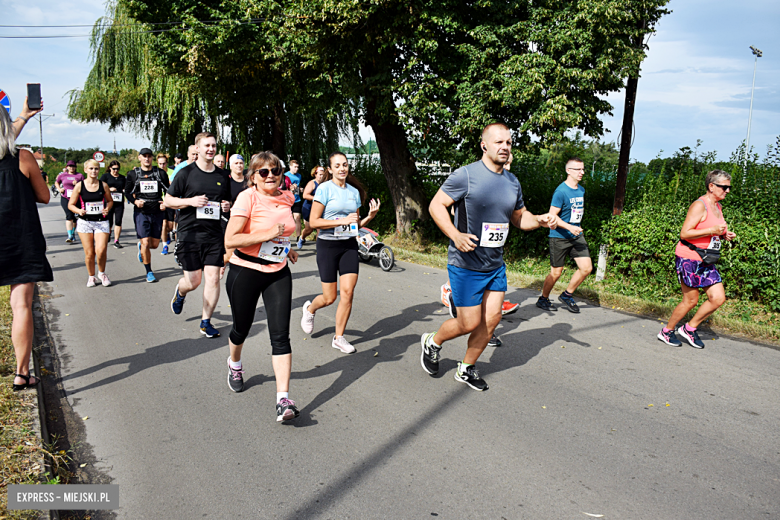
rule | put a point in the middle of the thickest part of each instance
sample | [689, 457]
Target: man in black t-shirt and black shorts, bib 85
[200, 191]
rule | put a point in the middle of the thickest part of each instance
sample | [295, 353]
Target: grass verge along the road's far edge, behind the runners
[735, 317]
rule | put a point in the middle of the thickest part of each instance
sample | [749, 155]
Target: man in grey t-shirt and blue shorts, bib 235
[487, 199]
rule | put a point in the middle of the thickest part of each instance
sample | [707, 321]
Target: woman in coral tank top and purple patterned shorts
[703, 229]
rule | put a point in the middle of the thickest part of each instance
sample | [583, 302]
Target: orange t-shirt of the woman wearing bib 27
[262, 213]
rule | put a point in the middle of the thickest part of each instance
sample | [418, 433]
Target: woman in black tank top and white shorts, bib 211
[91, 201]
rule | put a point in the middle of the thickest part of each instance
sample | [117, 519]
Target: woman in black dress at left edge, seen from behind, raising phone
[22, 245]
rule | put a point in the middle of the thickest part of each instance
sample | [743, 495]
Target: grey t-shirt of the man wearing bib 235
[481, 197]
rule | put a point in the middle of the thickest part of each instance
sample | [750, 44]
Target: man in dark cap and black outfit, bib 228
[144, 189]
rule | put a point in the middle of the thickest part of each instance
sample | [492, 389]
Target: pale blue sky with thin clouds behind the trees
[695, 82]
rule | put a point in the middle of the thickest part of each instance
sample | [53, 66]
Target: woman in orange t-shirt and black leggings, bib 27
[259, 230]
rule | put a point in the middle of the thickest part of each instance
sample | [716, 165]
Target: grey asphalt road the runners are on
[586, 413]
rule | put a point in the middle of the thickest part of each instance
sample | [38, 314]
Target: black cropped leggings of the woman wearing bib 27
[244, 287]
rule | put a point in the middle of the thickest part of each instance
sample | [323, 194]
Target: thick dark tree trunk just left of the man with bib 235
[398, 167]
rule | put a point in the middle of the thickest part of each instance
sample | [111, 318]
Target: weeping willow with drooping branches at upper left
[191, 76]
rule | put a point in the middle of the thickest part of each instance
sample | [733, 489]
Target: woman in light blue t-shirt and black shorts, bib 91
[334, 213]
